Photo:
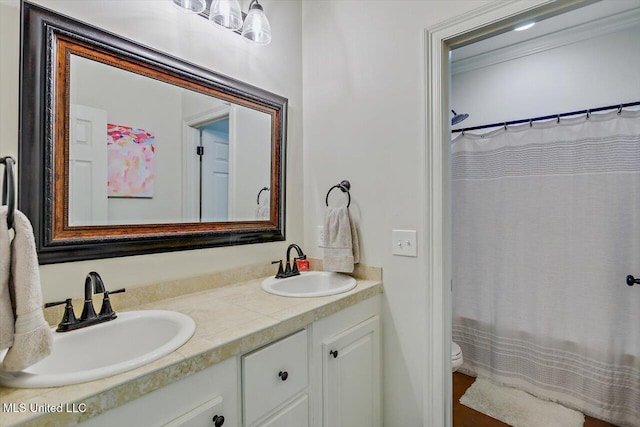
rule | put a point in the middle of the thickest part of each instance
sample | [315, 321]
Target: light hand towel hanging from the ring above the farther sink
[341, 246]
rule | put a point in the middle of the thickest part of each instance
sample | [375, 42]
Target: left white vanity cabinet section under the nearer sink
[193, 401]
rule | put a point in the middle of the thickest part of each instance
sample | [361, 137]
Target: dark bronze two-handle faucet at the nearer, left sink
[93, 284]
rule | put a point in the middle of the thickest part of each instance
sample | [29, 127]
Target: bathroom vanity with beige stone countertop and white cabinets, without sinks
[255, 359]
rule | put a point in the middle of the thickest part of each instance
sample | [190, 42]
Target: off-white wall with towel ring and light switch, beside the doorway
[364, 120]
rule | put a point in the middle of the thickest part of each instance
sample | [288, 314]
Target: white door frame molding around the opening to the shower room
[473, 26]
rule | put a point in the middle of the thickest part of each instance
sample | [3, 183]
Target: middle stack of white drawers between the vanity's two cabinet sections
[275, 383]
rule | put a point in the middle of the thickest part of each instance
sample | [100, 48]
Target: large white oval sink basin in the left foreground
[133, 339]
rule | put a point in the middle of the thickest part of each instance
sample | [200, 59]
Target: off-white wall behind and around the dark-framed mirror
[155, 23]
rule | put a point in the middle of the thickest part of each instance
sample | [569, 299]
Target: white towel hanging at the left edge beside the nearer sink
[32, 337]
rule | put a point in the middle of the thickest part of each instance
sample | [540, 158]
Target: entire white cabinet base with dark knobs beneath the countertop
[326, 375]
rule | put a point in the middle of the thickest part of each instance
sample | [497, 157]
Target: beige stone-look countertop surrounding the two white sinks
[230, 320]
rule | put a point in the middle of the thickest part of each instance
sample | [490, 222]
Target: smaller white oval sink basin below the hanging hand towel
[310, 284]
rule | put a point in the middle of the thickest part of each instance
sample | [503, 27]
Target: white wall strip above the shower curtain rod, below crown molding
[592, 73]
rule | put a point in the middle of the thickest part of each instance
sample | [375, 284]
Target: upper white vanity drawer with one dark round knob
[274, 374]
